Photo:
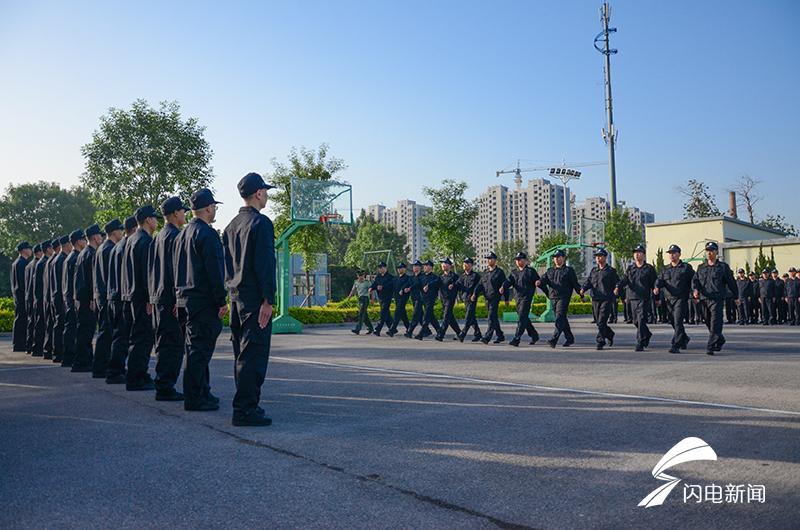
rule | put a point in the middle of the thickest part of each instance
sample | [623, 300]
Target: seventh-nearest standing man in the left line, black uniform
[84, 301]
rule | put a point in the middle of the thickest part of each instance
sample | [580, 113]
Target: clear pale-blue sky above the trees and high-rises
[409, 93]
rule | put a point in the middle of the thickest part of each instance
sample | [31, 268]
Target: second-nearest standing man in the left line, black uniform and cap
[200, 297]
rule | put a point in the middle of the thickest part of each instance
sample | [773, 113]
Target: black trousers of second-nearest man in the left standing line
[203, 327]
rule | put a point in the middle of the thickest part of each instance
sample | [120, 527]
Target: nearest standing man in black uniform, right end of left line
[250, 276]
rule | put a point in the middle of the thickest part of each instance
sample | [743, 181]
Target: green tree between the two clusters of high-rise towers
[449, 222]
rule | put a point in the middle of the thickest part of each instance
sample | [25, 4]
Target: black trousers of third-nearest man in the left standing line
[170, 346]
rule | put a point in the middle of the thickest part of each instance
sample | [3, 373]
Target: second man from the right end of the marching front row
[675, 282]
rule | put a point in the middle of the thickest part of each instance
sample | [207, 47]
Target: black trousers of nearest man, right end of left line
[251, 346]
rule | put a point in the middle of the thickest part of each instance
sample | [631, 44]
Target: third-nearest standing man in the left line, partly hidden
[169, 343]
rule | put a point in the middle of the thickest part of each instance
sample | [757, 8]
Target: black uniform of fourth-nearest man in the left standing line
[136, 295]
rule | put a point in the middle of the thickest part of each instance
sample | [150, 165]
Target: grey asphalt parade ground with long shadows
[379, 432]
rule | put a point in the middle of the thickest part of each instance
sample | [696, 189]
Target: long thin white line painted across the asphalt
[545, 388]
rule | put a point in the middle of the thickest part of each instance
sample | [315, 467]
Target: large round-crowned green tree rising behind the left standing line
[142, 156]
